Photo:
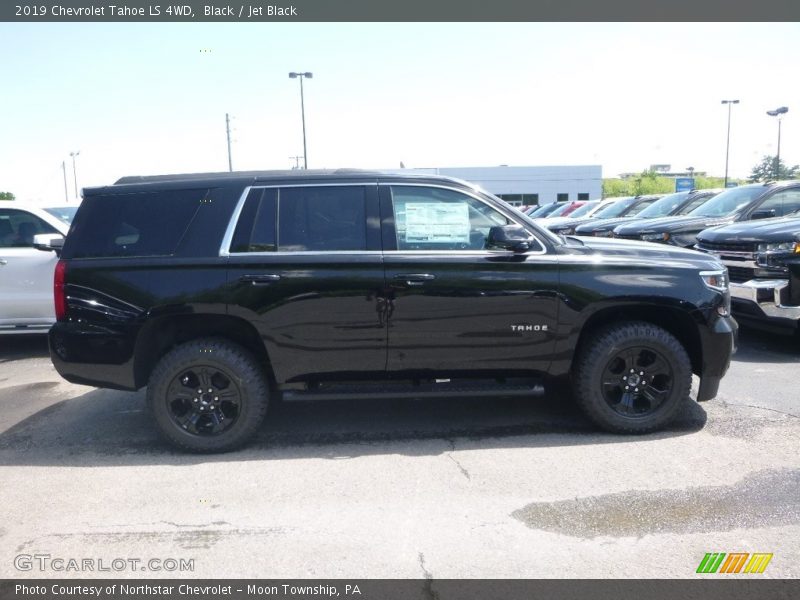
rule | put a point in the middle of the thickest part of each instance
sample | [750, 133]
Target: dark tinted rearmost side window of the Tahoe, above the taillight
[138, 224]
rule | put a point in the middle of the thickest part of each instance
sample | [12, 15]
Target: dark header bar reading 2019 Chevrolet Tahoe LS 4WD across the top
[184, 11]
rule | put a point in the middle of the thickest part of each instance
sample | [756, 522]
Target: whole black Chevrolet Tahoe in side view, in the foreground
[219, 292]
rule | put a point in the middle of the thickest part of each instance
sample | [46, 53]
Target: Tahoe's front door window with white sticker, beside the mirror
[438, 219]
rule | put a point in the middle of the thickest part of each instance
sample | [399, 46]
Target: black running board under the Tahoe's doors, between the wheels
[434, 390]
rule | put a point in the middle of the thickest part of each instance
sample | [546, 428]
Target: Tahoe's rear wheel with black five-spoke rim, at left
[208, 396]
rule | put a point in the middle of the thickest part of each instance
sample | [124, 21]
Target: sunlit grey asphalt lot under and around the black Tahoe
[411, 489]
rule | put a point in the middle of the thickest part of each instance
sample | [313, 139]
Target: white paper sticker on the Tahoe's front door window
[437, 222]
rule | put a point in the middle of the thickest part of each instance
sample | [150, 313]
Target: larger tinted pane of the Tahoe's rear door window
[325, 218]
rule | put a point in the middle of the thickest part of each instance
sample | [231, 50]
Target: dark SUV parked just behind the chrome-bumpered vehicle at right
[754, 201]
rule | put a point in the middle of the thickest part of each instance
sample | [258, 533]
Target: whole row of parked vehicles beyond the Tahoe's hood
[754, 230]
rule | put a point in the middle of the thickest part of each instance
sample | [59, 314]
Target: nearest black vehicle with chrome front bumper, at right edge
[763, 260]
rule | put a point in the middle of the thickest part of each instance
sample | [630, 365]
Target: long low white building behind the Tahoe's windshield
[532, 185]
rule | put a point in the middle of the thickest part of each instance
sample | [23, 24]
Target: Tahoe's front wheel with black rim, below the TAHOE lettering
[632, 377]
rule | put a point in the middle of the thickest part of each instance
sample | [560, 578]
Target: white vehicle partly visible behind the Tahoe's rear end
[26, 273]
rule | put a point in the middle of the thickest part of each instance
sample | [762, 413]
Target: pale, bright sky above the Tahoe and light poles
[144, 98]
